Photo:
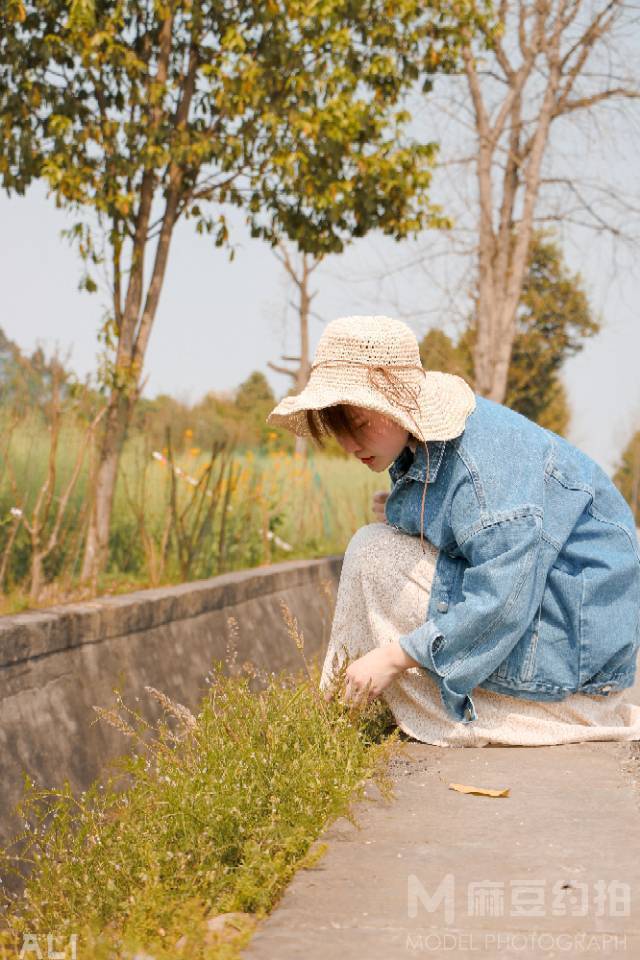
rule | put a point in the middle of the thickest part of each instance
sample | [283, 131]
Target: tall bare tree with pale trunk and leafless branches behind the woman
[552, 61]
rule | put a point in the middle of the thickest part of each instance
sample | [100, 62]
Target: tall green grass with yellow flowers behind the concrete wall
[272, 506]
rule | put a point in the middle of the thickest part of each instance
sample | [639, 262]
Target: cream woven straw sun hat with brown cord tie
[374, 362]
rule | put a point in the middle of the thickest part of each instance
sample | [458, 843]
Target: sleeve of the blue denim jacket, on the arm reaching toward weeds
[502, 588]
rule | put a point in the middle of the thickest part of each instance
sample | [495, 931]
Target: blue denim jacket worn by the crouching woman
[536, 592]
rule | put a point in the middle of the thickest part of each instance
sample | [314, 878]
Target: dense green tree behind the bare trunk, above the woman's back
[553, 321]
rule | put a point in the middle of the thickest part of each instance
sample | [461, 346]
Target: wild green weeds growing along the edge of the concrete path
[209, 814]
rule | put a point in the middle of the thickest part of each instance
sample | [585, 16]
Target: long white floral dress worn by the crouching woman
[383, 594]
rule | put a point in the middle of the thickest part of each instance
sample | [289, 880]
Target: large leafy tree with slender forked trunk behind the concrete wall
[137, 113]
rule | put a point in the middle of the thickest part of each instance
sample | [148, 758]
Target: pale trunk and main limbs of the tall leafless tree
[510, 152]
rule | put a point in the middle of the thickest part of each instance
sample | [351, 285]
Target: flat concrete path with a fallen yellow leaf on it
[551, 871]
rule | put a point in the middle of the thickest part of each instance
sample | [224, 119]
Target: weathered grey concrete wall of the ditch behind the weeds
[56, 664]
